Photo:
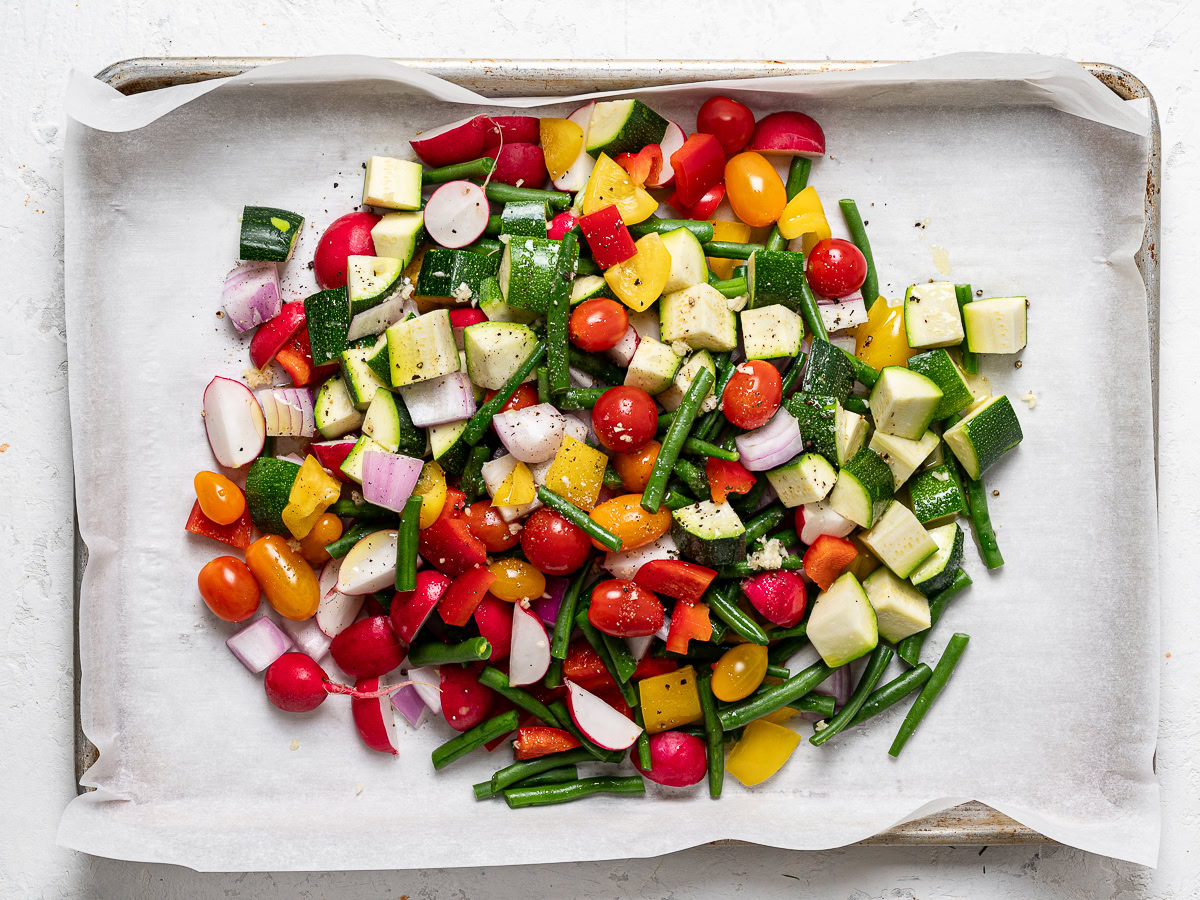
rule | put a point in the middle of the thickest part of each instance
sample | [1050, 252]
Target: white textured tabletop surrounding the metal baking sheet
[35, 526]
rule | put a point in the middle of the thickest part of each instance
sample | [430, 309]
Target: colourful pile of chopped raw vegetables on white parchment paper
[579, 479]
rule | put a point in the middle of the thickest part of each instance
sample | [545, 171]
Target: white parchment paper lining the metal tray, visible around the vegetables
[923, 145]
